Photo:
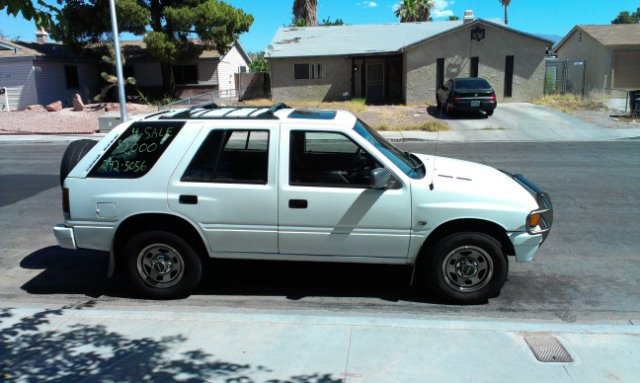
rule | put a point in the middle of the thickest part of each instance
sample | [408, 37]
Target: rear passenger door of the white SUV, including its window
[226, 184]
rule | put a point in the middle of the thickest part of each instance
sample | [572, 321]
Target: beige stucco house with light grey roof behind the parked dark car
[404, 62]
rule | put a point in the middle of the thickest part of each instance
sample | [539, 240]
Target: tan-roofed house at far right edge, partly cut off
[611, 52]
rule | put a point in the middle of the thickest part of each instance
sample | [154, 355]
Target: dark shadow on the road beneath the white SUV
[84, 272]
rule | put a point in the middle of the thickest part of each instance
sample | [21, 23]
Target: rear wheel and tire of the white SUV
[162, 265]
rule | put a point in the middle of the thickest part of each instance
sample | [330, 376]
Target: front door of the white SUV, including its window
[326, 207]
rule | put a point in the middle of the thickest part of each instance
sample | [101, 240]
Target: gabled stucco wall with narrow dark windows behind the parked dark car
[457, 48]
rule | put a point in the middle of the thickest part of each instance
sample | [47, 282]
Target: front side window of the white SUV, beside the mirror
[328, 159]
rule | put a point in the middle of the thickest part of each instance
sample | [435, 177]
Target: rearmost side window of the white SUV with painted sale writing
[136, 151]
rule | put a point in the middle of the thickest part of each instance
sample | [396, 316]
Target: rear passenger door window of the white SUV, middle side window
[231, 156]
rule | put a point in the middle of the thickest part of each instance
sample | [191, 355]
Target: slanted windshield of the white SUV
[407, 162]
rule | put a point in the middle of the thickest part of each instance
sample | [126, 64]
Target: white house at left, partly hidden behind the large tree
[42, 72]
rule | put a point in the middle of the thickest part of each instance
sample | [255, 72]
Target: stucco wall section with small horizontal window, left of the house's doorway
[337, 79]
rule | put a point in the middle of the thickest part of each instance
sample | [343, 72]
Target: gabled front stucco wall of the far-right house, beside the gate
[580, 46]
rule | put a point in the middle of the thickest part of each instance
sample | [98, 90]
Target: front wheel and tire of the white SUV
[467, 268]
